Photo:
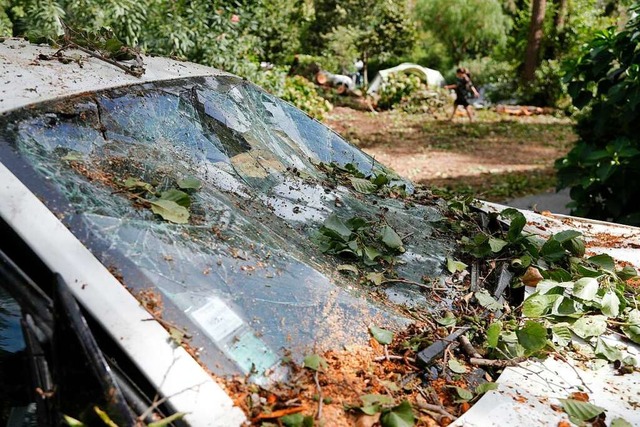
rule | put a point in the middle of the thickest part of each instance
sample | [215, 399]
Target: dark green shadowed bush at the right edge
[603, 169]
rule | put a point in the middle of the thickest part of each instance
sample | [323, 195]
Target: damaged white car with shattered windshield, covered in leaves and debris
[183, 247]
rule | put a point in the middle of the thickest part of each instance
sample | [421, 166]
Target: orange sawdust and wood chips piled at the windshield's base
[349, 374]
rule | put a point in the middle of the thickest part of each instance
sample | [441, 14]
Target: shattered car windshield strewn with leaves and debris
[223, 209]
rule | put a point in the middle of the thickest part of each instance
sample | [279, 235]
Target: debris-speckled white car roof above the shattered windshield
[31, 73]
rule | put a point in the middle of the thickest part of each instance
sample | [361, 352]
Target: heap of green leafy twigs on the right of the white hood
[576, 298]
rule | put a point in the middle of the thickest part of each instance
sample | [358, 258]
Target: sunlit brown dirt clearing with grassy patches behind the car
[434, 151]
